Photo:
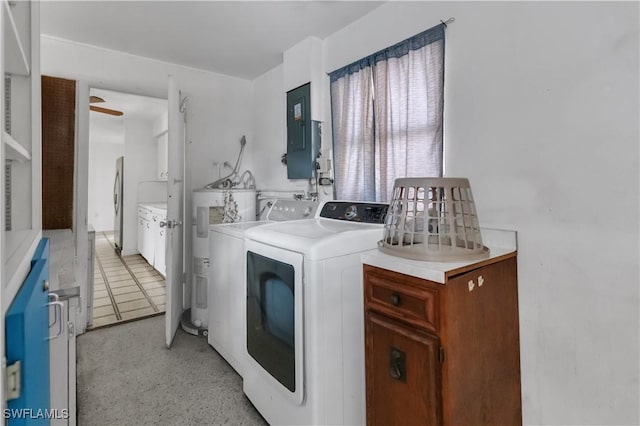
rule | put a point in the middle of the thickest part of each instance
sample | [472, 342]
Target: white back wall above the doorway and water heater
[218, 113]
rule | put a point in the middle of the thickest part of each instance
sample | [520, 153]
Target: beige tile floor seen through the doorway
[125, 288]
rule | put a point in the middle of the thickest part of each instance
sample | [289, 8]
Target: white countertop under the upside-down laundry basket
[500, 243]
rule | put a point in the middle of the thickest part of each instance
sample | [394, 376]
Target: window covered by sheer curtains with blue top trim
[387, 113]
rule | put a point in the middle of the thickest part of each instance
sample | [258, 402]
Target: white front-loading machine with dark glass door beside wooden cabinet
[305, 320]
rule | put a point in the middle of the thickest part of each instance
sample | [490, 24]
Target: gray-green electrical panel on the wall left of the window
[303, 135]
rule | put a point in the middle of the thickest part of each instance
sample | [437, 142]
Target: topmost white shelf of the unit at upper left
[16, 61]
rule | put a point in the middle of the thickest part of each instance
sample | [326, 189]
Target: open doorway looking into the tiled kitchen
[125, 130]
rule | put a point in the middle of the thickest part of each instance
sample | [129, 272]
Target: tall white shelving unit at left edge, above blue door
[21, 143]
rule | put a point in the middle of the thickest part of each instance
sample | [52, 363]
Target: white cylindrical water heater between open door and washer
[212, 206]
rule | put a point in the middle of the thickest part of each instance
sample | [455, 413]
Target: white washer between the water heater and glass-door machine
[227, 291]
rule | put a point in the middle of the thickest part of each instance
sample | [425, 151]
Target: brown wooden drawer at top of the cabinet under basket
[402, 297]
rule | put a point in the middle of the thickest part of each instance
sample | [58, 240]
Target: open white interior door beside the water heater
[175, 214]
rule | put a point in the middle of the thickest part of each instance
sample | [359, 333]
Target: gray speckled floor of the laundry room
[126, 376]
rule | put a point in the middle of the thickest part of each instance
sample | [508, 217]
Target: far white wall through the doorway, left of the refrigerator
[104, 148]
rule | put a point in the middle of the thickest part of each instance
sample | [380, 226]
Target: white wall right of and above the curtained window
[542, 116]
